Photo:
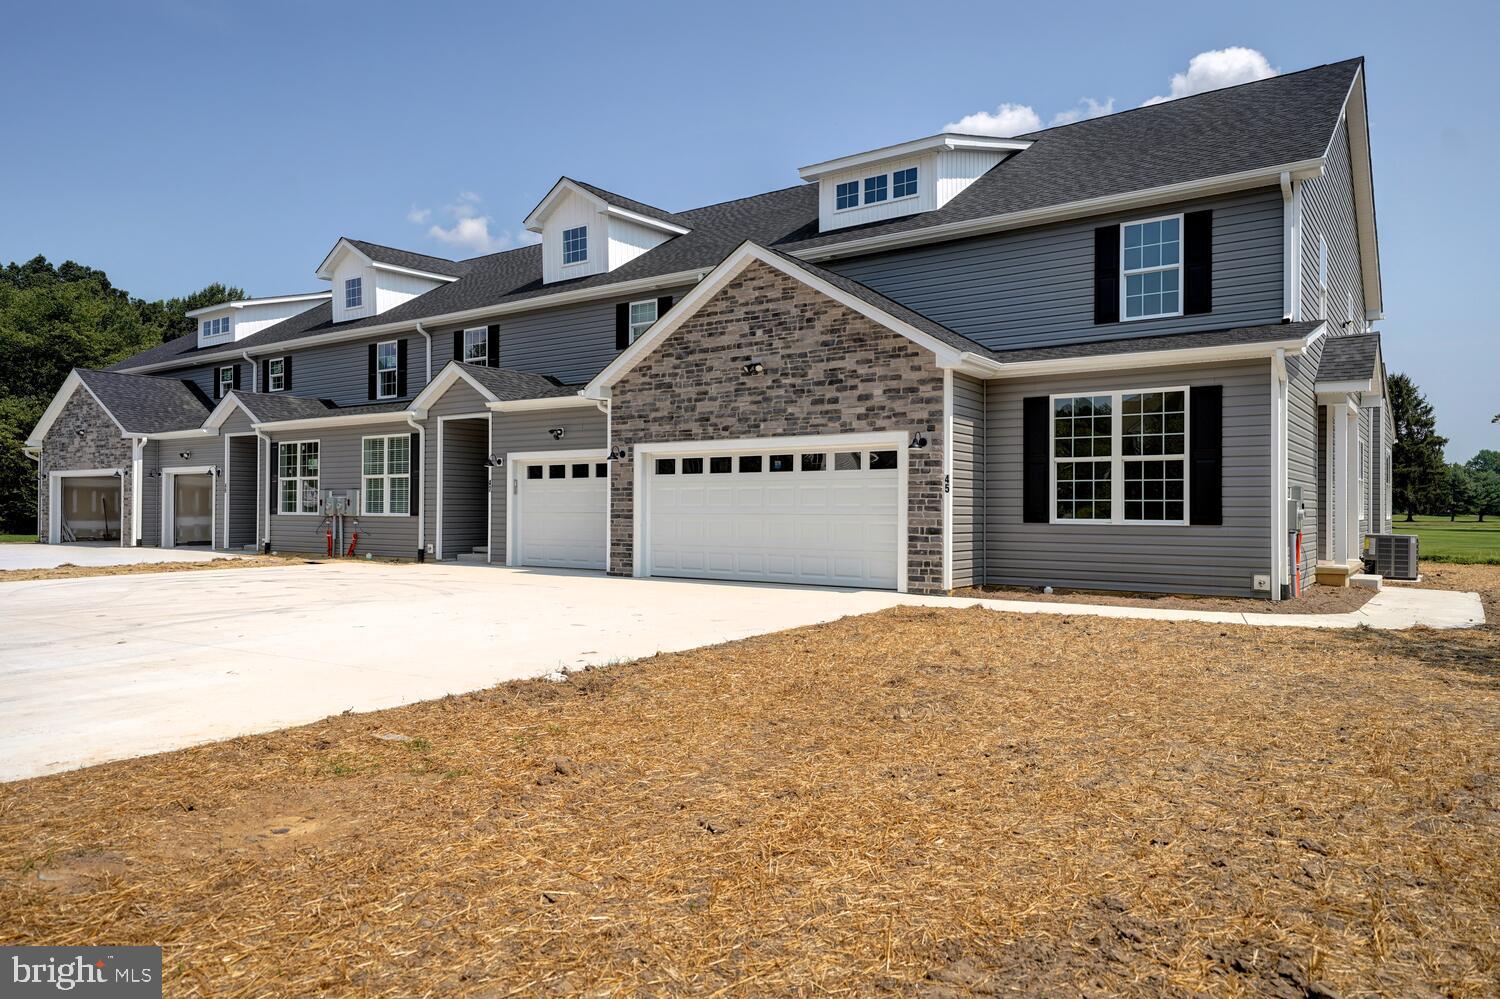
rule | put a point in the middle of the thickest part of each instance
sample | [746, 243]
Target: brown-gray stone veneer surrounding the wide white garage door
[827, 371]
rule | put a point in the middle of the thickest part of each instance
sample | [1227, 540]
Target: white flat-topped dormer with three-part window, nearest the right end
[905, 179]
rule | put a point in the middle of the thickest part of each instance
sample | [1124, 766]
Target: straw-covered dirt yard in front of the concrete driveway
[922, 802]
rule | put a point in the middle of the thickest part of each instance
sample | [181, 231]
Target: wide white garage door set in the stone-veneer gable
[817, 517]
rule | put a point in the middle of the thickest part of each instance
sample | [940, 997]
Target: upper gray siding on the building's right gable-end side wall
[1328, 211]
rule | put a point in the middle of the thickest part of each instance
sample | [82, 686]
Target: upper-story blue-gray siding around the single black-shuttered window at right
[1036, 287]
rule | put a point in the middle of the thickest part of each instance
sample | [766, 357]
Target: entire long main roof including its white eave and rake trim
[1232, 139]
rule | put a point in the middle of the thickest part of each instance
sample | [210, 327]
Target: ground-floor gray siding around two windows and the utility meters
[340, 469]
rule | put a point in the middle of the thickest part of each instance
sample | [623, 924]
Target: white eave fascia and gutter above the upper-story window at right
[1264, 178]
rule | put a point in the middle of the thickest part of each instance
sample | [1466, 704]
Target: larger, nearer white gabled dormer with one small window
[590, 232]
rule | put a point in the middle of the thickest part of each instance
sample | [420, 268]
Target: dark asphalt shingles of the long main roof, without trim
[1268, 124]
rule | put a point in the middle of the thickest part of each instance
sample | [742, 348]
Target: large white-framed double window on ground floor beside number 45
[1120, 457]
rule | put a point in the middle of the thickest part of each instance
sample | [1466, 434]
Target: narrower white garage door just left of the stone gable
[562, 517]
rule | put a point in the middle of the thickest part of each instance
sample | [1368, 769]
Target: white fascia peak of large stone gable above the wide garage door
[728, 271]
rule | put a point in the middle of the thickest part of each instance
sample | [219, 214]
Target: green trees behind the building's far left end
[55, 319]
